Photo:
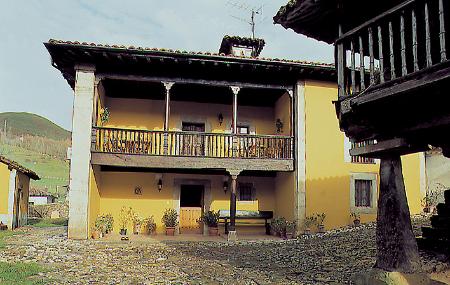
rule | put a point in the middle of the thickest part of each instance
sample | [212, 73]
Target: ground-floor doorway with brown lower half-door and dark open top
[191, 208]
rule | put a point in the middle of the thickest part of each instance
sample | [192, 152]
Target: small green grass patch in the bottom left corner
[21, 274]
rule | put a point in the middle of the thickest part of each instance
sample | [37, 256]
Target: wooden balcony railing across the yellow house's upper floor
[191, 144]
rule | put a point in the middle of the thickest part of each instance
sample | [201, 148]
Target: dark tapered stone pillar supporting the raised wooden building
[396, 245]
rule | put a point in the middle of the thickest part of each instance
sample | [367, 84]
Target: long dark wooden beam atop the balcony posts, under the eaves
[220, 83]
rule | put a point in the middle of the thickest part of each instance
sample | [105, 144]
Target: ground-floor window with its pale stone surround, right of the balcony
[363, 193]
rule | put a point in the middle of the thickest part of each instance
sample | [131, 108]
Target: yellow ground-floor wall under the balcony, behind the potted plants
[117, 190]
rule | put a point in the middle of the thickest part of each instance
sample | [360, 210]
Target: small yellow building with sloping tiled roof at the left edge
[14, 189]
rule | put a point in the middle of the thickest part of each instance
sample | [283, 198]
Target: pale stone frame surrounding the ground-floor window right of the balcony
[373, 177]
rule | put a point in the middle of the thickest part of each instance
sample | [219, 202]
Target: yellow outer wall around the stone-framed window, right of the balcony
[327, 174]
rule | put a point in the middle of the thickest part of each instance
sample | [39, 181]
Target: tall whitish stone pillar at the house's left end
[81, 152]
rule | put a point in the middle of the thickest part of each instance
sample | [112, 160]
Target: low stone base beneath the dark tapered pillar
[381, 277]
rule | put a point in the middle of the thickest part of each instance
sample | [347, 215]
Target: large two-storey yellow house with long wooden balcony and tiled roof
[155, 129]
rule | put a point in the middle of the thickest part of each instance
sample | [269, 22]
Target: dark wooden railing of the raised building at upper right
[410, 37]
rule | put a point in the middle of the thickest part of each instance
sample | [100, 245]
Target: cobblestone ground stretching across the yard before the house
[321, 259]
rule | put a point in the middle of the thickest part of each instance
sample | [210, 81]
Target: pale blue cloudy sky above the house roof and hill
[28, 83]
